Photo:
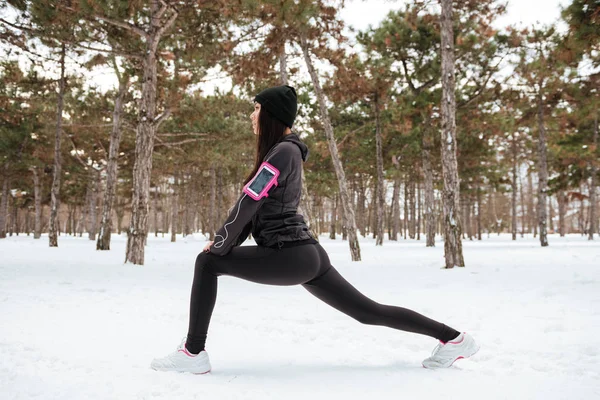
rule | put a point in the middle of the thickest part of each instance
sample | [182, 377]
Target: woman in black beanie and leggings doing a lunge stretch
[286, 254]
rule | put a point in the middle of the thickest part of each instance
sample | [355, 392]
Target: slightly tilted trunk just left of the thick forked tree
[103, 242]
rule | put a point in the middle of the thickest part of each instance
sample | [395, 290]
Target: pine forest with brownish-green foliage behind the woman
[165, 150]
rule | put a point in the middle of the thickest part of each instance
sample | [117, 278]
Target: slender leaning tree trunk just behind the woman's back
[347, 207]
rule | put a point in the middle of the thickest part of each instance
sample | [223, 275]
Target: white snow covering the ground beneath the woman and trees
[79, 324]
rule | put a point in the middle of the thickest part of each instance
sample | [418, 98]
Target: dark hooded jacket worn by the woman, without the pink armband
[273, 220]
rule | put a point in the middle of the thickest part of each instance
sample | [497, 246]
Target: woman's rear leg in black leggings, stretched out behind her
[330, 287]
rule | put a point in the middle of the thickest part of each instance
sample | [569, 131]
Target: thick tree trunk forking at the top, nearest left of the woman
[144, 143]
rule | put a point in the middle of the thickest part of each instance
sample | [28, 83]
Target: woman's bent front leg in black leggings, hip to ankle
[289, 266]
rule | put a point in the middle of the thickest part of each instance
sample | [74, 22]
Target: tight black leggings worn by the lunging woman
[307, 265]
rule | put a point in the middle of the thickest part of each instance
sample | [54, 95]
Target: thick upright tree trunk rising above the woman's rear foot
[451, 195]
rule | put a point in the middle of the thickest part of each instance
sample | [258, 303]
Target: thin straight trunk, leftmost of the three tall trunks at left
[55, 191]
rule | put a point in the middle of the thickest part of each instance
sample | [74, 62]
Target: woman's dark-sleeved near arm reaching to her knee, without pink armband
[246, 207]
